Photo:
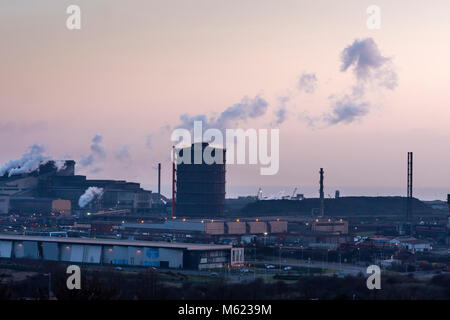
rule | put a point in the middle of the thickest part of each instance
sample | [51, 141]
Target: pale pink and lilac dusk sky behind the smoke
[136, 66]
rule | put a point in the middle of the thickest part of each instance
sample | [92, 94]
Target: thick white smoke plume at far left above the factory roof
[29, 162]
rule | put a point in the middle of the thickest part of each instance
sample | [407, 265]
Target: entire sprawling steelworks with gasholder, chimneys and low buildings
[49, 214]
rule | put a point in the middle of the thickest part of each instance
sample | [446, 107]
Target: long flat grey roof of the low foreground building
[188, 246]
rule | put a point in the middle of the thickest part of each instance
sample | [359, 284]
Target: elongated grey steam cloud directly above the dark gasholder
[246, 109]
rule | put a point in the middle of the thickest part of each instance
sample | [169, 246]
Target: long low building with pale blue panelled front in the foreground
[120, 252]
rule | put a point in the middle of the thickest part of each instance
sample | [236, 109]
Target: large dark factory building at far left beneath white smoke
[51, 189]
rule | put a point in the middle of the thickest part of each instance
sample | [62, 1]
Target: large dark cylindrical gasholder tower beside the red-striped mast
[200, 186]
